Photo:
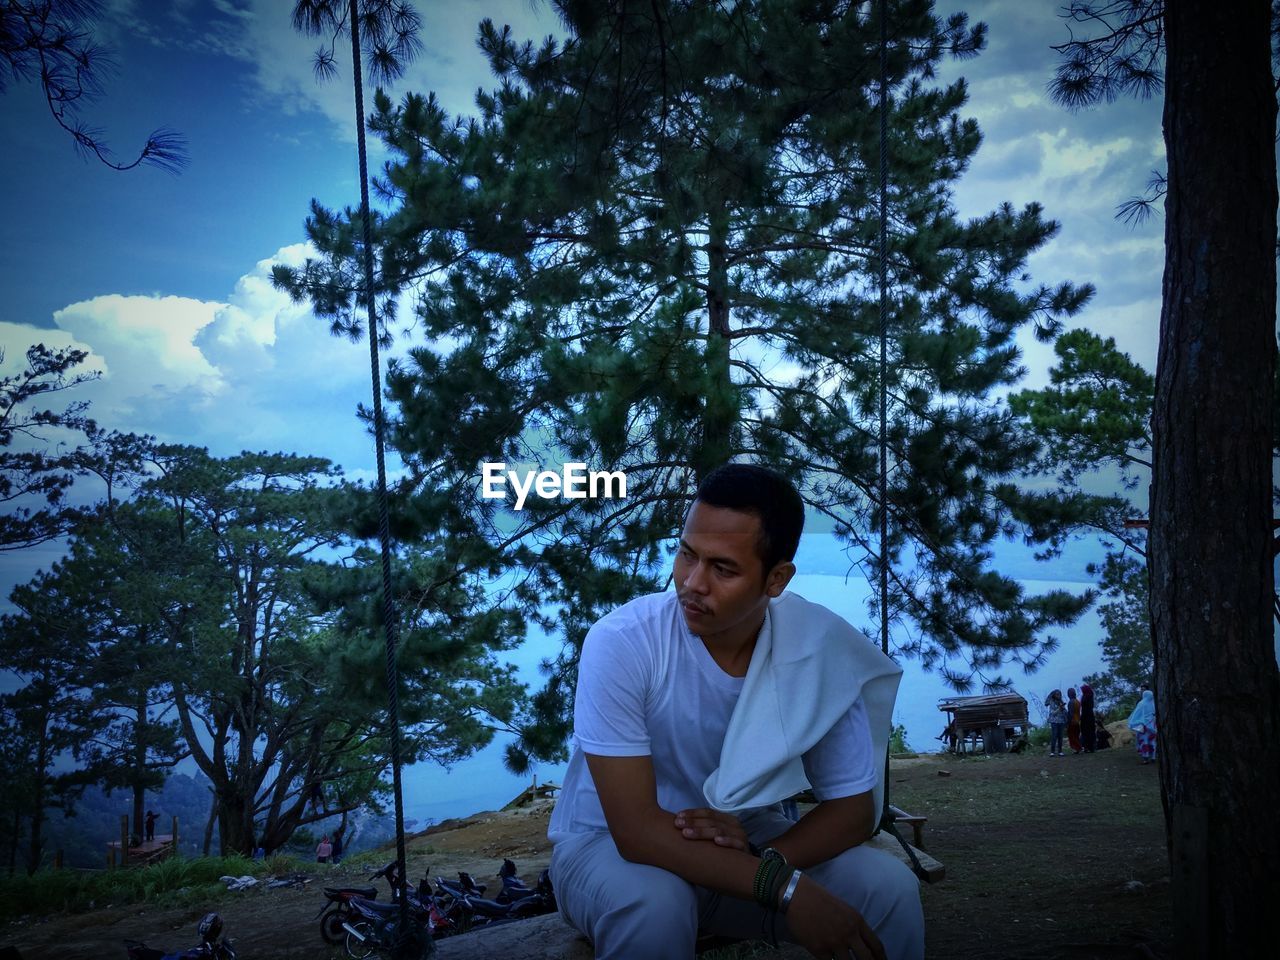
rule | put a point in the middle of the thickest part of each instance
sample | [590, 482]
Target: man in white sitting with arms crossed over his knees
[697, 712]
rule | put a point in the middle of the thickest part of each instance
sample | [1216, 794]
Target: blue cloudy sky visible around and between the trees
[166, 280]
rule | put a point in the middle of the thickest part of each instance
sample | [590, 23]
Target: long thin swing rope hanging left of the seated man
[406, 940]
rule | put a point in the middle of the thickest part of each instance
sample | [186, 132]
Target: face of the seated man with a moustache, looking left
[720, 579]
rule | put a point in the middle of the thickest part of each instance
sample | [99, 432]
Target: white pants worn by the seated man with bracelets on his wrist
[636, 912]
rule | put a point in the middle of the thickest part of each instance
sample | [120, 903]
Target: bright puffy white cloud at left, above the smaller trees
[253, 372]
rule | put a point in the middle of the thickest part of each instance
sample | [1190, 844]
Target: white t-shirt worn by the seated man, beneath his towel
[647, 687]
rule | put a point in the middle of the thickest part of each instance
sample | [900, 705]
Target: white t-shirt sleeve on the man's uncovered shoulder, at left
[614, 675]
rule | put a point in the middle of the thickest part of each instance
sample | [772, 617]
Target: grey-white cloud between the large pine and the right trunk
[1078, 166]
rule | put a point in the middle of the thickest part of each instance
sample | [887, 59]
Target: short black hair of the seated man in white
[771, 497]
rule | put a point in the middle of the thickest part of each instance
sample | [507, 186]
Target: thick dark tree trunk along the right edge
[1212, 577]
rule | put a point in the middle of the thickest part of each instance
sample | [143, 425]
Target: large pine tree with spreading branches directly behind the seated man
[655, 250]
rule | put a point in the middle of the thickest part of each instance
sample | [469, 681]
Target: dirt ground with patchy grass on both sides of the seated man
[1048, 858]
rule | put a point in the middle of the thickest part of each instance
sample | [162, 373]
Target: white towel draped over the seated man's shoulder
[807, 670]
